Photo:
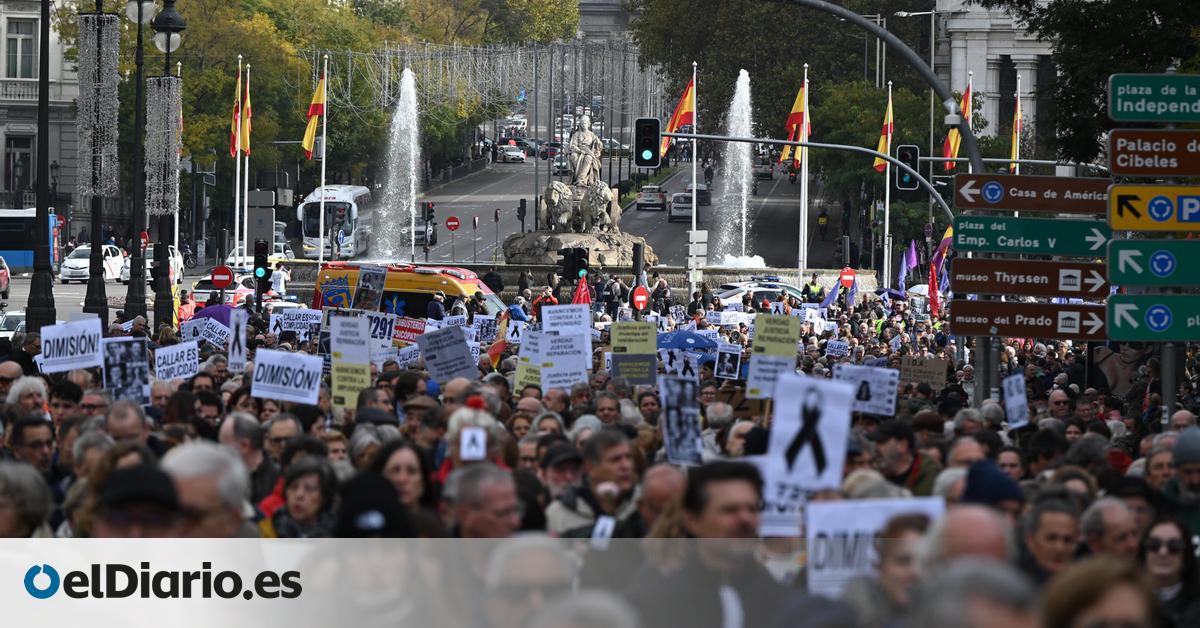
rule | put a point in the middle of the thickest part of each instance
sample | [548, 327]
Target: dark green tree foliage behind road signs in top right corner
[1094, 40]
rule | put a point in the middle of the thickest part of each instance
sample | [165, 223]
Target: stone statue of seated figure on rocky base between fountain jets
[587, 205]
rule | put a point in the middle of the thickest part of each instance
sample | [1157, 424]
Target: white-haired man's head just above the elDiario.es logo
[213, 485]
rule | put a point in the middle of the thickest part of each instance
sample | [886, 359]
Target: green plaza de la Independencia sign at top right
[1155, 98]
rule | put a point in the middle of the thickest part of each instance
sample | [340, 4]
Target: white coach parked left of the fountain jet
[347, 229]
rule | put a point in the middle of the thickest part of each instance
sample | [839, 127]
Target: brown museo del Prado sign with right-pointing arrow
[1028, 320]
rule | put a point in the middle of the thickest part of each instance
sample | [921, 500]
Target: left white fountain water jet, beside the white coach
[399, 205]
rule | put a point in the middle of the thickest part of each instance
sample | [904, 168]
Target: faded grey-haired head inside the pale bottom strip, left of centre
[523, 577]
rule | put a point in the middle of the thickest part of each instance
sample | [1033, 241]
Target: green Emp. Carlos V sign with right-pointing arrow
[1004, 235]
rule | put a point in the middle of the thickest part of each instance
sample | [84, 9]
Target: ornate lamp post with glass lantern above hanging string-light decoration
[163, 163]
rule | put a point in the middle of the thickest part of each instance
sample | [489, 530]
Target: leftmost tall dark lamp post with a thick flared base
[41, 291]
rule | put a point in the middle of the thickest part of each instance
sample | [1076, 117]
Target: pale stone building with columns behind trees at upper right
[993, 50]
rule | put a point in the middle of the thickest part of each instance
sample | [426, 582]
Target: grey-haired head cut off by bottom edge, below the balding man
[974, 593]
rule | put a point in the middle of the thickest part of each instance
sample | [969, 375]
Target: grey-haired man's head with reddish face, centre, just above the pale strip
[483, 500]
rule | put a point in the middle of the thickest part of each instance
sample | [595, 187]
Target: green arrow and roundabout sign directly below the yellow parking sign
[1154, 264]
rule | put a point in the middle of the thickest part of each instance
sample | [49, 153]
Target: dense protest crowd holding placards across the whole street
[837, 447]
